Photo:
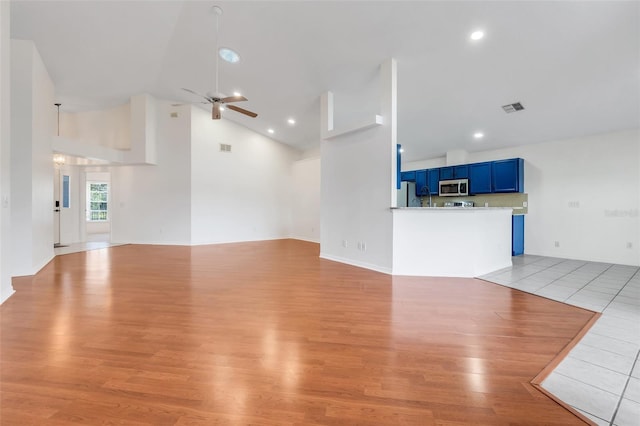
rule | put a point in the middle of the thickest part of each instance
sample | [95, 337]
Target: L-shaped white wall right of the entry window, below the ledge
[151, 204]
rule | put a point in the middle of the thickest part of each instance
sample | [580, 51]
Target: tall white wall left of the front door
[32, 118]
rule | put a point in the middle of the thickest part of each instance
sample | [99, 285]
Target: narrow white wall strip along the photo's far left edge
[5, 185]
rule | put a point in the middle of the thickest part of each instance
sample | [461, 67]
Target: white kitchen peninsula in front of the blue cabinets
[451, 242]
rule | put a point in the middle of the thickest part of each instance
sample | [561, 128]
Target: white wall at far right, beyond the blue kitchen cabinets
[600, 173]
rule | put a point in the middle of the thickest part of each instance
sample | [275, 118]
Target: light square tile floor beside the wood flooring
[601, 375]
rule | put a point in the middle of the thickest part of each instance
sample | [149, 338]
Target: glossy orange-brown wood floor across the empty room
[269, 334]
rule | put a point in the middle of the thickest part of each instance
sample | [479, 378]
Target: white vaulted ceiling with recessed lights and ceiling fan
[575, 66]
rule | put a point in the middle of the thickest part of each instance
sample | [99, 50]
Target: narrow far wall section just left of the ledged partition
[305, 199]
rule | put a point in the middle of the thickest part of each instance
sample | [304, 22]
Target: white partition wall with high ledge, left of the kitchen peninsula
[358, 187]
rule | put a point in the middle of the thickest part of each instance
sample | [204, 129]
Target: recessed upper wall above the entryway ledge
[110, 127]
